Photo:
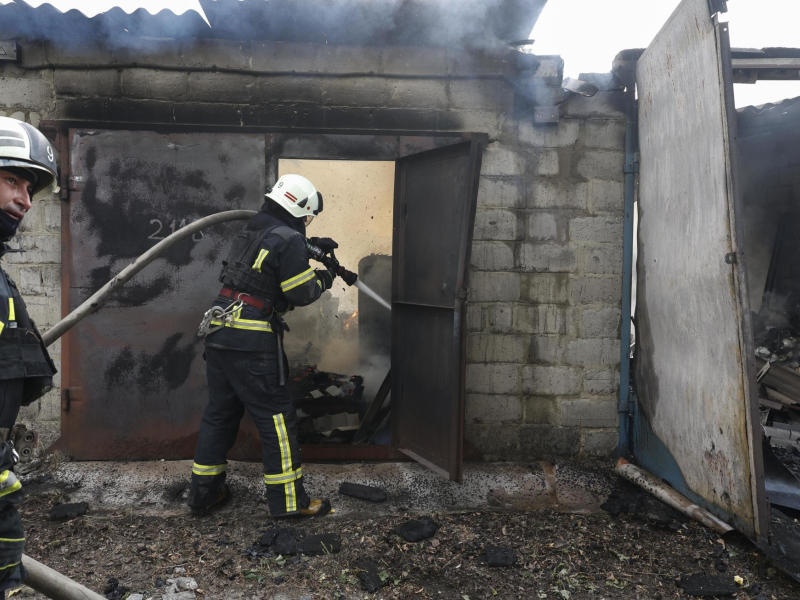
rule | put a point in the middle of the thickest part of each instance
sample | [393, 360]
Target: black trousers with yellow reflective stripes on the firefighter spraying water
[239, 381]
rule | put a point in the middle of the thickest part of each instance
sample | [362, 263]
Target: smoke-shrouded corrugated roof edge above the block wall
[468, 23]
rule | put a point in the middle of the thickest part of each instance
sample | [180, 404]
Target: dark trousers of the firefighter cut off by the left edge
[12, 538]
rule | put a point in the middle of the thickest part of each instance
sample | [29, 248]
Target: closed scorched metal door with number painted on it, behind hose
[134, 378]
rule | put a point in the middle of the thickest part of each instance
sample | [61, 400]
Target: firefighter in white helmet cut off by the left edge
[28, 172]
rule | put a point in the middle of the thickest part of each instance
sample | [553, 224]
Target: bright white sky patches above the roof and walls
[589, 33]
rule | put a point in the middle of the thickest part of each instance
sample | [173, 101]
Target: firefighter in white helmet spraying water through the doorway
[266, 274]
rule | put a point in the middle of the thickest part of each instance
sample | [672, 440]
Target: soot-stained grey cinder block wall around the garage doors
[544, 305]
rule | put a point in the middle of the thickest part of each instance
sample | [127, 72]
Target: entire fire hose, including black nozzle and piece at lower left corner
[40, 577]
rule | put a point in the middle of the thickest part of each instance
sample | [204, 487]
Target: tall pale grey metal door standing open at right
[695, 421]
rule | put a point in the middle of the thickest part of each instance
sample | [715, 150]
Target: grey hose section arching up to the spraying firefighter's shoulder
[97, 299]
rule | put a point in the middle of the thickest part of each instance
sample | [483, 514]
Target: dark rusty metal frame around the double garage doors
[280, 143]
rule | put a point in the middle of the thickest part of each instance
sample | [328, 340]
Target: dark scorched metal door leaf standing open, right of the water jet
[435, 197]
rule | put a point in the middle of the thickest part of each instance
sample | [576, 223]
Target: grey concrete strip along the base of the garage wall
[160, 487]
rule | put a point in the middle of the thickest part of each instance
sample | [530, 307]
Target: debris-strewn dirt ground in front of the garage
[561, 556]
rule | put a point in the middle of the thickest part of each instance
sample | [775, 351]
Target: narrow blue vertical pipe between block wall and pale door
[624, 447]
